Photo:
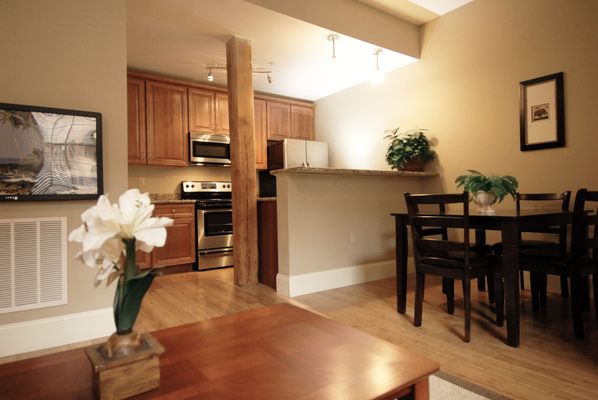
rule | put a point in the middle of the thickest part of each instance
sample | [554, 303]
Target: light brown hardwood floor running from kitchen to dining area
[549, 364]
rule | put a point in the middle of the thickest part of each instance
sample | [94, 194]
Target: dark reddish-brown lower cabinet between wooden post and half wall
[267, 242]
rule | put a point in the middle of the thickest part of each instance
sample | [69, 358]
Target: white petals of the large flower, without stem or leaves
[105, 226]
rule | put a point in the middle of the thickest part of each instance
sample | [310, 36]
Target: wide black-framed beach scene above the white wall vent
[49, 154]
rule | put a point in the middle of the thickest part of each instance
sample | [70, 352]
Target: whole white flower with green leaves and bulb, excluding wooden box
[109, 231]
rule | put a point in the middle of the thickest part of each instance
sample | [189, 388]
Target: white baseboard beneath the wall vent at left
[23, 337]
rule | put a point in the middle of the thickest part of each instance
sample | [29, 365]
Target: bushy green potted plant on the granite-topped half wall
[408, 151]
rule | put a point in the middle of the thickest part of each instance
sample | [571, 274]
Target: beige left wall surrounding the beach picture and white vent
[68, 54]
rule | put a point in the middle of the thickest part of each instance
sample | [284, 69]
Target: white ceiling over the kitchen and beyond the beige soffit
[181, 37]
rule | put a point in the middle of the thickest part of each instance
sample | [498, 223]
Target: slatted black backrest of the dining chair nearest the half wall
[423, 222]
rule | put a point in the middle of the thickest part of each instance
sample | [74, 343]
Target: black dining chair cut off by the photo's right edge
[580, 262]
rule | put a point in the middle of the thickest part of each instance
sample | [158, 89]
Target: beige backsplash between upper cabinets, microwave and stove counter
[168, 179]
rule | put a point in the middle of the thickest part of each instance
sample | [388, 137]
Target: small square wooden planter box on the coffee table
[122, 377]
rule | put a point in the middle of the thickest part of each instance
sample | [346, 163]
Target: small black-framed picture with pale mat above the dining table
[542, 113]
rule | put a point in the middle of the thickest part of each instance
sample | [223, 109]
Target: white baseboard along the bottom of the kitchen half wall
[297, 285]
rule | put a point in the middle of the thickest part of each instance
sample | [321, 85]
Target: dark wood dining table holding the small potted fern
[509, 223]
